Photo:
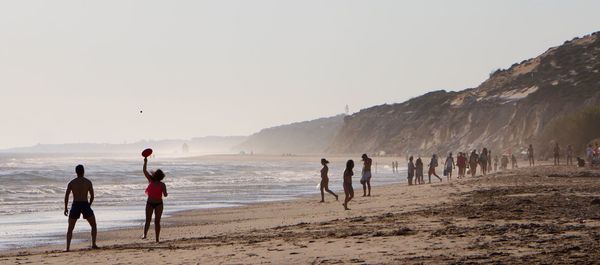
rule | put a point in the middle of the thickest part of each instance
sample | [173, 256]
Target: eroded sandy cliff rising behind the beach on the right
[505, 113]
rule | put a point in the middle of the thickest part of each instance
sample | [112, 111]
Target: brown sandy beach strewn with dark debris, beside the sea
[540, 215]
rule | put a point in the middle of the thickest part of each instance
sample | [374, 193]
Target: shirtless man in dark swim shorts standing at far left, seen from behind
[80, 187]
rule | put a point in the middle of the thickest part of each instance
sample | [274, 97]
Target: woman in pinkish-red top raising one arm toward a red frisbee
[156, 190]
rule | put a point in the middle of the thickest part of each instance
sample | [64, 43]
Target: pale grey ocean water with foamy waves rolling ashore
[33, 186]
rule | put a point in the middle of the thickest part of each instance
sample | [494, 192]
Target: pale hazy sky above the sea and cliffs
[80, 71]
